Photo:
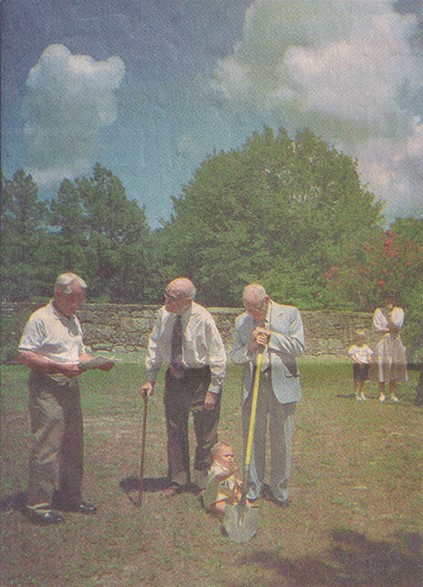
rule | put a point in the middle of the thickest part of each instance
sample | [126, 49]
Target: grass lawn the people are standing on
[354, 521]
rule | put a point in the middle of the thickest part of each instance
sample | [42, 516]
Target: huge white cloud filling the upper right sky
[346, 70]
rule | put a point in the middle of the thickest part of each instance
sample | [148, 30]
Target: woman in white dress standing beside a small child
[390, 355]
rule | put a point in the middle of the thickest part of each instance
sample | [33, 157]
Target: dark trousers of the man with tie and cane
[181, 397]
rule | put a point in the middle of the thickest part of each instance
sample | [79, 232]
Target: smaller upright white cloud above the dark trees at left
[69, 98]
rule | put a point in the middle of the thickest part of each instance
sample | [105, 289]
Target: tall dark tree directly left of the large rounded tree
[117, 238]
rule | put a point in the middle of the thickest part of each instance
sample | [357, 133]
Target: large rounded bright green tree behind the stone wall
[277, 210]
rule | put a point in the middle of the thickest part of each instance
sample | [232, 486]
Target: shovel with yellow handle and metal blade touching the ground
[240, 520]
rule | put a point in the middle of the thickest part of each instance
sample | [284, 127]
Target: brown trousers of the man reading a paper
[56, 461]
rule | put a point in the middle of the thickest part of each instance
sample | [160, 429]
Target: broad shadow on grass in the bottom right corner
[352, 561]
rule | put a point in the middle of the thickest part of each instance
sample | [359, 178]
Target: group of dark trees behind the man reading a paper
[91, 228]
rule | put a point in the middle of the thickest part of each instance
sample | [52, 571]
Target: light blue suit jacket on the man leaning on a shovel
[285, 345]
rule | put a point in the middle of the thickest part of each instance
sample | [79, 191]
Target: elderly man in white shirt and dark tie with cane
[185, 338]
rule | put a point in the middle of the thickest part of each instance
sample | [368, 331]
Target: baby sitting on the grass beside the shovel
[222, 485]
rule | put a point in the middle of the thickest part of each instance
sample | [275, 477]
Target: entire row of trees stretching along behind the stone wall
[290, 213]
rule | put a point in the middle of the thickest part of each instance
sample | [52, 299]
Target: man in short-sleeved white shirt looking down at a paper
[52, 347]
